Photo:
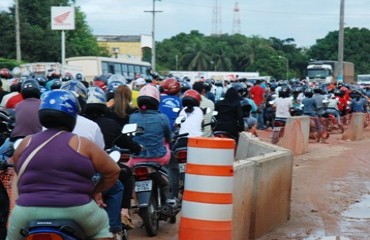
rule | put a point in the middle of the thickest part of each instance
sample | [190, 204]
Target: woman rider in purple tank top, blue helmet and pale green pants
[67, 173]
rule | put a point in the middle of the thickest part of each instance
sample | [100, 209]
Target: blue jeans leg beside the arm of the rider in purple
[113, 198]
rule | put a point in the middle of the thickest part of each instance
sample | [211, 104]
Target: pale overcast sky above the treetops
[304, 21]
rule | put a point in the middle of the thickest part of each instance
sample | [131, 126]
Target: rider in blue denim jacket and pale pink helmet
[156, 137]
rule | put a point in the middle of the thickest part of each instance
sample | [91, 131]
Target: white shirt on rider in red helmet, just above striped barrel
[193, 122]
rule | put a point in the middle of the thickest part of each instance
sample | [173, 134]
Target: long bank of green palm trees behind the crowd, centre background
[235, 52]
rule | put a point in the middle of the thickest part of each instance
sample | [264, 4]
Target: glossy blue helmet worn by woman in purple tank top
[58, 109]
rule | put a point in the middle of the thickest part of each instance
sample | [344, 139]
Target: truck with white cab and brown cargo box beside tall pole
[325, 71]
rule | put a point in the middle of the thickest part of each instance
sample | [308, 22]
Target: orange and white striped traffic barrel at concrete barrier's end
[207, 204]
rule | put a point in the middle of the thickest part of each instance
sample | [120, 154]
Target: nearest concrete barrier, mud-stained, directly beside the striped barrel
[265, 193]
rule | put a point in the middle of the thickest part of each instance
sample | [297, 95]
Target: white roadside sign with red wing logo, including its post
[63, 18]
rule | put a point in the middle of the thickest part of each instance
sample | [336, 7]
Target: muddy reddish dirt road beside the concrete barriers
[330, 194]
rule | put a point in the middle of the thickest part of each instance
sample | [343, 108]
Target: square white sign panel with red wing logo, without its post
[62, 18]
